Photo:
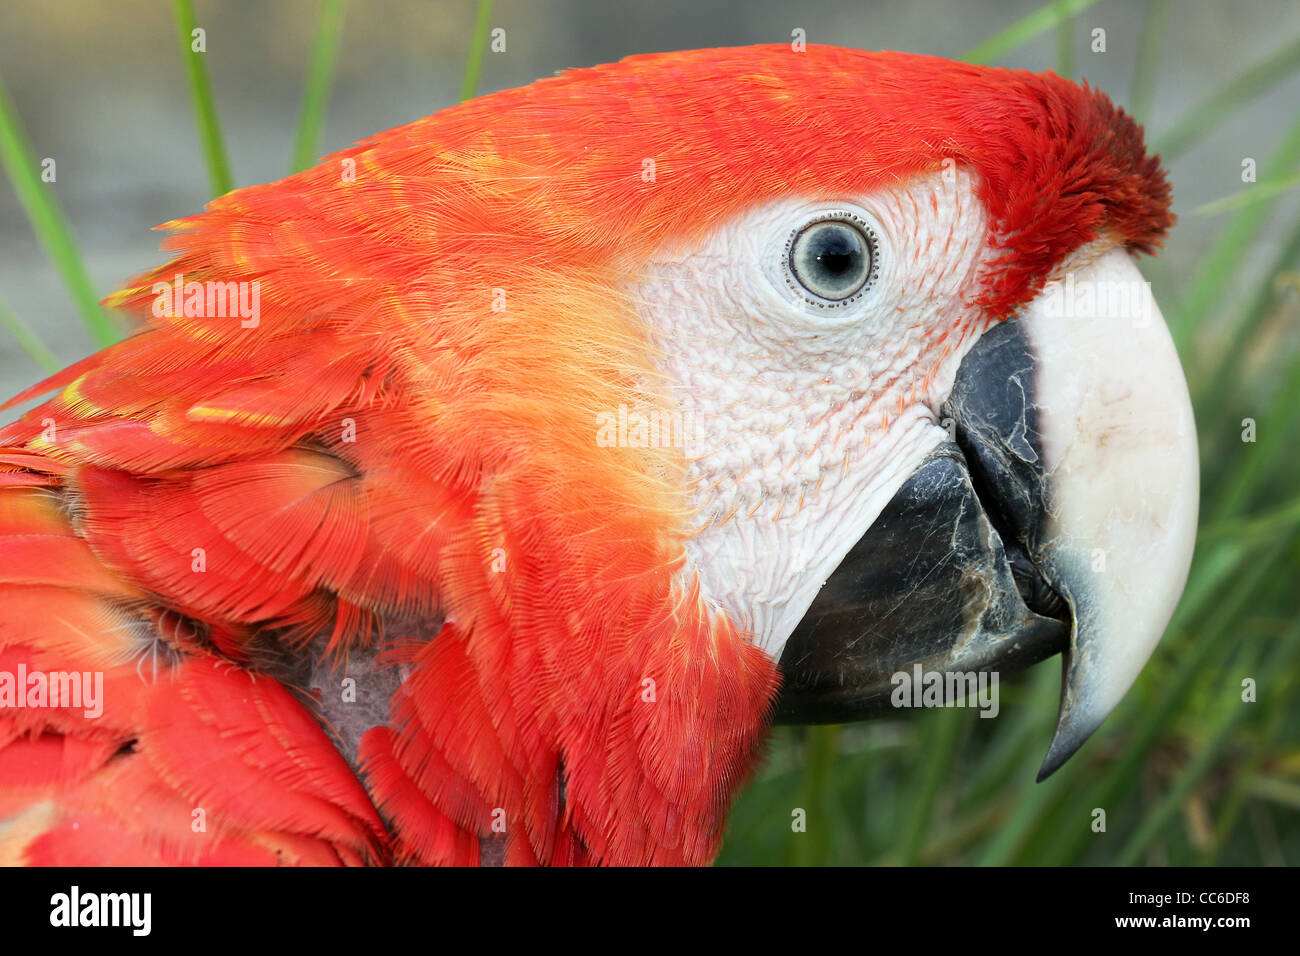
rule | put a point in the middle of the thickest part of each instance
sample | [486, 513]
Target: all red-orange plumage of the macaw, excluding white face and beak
[383, 448]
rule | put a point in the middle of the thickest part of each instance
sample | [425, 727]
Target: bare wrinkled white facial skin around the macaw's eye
[807, 419]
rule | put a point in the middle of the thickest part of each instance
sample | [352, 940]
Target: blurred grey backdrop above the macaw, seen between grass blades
[101, 88]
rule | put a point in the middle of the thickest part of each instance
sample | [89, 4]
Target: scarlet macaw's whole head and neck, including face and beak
[647, 384]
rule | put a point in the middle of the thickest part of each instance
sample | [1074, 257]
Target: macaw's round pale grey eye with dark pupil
[834, 259]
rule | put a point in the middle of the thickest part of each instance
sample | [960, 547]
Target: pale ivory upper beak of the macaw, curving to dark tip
[1123, 483]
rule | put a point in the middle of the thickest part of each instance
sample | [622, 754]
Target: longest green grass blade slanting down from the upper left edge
[47, 220]
